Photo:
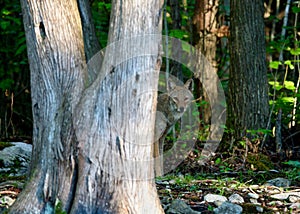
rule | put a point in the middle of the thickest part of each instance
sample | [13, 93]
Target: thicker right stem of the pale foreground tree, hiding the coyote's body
[116, 171]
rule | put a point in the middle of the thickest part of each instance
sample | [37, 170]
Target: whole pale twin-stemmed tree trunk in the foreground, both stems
[92, 147]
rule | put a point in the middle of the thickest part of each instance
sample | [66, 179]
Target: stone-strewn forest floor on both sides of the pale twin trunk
[220, 191]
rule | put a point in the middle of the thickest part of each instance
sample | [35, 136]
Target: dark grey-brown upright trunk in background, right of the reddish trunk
[248, 90]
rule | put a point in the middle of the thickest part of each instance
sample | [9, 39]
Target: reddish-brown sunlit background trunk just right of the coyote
[208, 87]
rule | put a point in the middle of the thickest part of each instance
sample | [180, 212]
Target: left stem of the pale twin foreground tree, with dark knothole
[57, 64]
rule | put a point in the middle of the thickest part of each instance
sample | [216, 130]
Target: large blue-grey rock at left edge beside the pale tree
[15, 159]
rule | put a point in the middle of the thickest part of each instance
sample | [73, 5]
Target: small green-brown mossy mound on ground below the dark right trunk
[260, 162]
